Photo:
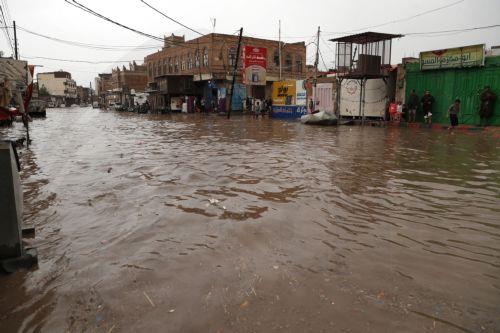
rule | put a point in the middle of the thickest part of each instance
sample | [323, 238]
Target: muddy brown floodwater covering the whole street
[193, 223]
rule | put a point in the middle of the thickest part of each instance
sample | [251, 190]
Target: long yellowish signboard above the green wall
[460, 57]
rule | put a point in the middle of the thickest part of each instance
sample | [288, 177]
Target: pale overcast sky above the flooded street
[300, 20]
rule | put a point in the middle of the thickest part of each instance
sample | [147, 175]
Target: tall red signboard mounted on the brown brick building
[254, 65]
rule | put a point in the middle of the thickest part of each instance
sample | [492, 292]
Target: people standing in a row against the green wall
[487, 98]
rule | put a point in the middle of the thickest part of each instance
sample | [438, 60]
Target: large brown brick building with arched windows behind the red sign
[202, 67]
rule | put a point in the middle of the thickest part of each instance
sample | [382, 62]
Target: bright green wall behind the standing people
[448, 84]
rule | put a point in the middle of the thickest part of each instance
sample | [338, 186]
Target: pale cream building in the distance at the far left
[60, 86]
